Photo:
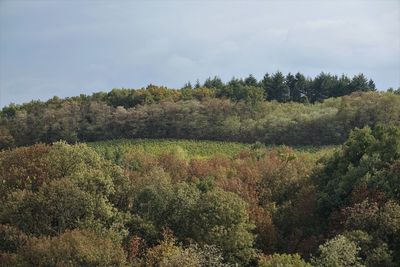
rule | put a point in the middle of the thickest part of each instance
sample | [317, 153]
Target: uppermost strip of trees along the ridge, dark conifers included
[273, 87]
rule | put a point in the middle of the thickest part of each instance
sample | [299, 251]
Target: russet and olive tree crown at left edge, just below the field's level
[30, 167]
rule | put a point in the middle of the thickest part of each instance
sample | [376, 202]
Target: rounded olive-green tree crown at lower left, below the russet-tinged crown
[57, 206]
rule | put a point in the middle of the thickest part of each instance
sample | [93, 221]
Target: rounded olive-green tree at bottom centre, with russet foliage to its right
[220, 219]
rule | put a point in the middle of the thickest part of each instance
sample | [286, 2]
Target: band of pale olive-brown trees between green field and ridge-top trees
[80, 119]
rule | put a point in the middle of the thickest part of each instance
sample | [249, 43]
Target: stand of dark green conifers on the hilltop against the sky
[295, 88]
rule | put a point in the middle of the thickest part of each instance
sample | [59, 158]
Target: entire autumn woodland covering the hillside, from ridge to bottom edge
[74, 194]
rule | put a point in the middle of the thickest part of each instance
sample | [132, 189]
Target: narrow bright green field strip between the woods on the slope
[114, 149]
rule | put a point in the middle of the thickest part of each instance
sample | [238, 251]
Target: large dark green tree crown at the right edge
[367, 158]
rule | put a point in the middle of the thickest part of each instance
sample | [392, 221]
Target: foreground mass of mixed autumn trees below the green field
[261, 206]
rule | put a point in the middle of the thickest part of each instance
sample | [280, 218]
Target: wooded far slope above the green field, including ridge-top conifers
[279, 109]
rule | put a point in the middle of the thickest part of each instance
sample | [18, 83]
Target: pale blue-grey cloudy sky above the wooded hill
[67, 48]
